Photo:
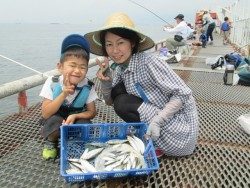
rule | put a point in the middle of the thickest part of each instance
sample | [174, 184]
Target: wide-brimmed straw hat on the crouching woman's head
[117, 20]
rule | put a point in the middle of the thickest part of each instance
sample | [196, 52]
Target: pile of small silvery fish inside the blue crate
[113, 155]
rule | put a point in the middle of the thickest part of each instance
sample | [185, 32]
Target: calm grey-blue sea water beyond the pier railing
[38, 46]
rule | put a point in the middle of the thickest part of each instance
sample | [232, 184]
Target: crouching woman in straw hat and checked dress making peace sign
[143, 87]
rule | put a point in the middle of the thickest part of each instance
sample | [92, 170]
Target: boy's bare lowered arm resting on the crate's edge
[90, 113]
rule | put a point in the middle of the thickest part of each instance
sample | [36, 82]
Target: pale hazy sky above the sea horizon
[95, 11]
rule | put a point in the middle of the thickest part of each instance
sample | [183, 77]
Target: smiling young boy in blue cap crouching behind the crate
[68, 98]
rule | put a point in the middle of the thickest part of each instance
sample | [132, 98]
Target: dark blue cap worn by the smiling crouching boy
[75, 40]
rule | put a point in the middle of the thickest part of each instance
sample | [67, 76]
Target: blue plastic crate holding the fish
[74, 138]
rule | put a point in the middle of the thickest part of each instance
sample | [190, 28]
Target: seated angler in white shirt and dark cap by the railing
[181, 31]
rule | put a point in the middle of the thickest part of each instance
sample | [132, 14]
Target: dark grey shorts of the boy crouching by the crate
[54, 123]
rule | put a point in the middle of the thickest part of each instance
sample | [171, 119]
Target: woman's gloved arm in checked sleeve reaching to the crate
[171, 85]
